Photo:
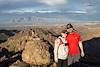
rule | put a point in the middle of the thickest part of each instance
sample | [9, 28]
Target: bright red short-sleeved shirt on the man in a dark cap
[73, 41]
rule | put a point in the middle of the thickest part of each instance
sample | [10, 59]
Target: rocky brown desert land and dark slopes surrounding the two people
[33, 46]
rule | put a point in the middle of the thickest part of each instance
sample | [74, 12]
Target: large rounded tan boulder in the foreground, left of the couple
[37, 53]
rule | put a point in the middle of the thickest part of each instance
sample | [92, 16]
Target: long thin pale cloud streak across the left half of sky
[29, 10]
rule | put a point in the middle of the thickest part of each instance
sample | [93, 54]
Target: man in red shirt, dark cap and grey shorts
[75, 45]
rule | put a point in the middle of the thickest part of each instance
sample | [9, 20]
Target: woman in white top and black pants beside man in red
[61, 50]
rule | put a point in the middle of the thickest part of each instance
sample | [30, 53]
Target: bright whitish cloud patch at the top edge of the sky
[54, 2]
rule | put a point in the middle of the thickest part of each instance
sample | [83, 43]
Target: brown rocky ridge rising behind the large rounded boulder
[18, 42]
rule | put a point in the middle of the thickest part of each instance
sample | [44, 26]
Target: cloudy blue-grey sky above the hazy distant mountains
[76, 10]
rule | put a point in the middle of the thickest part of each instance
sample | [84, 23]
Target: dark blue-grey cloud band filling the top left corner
[19, 4]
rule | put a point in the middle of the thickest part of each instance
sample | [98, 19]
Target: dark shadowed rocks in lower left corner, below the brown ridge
[7, 58]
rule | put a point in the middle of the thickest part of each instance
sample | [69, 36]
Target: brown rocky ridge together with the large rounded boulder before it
[36, 45]
